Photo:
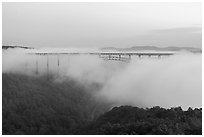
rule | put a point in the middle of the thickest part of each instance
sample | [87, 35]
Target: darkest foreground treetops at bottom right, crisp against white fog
[133, 120]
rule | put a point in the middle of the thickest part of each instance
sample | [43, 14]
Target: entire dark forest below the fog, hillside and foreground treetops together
[34, 105]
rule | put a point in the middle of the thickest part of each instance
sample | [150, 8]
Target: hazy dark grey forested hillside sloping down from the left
[34, 105]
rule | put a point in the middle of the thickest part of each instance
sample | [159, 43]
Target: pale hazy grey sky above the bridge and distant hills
[102, 24]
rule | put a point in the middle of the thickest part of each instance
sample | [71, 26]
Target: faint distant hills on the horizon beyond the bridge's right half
[139, 48]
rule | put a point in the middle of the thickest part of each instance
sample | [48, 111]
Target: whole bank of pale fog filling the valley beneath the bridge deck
[168, 82]
